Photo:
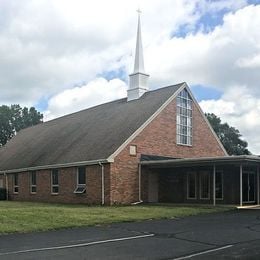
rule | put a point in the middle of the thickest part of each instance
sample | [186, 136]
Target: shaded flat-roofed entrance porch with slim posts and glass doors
[214, 180]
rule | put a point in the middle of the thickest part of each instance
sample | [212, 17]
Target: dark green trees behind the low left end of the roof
[14, 118]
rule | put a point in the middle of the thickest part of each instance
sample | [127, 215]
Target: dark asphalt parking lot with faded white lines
[230, 235]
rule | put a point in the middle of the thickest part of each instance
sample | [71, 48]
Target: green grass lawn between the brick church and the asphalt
[28, 217]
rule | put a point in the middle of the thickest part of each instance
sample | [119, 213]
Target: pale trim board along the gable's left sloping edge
[147, 122]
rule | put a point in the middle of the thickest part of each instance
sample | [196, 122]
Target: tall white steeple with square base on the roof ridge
[138, 80]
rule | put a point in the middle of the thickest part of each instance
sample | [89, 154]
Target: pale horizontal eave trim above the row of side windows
[62, 165]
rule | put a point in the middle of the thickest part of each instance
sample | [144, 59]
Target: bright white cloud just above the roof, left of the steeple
[95, 92]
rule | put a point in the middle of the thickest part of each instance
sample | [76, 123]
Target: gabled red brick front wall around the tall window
[159, 138]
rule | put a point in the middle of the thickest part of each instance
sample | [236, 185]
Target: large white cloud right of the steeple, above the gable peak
[212, 58]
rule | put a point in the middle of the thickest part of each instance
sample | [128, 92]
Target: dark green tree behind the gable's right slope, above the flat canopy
[229, 136]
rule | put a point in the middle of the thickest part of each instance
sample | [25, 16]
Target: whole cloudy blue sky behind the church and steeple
[62, 56]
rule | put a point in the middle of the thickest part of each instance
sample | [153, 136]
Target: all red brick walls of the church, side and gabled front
[121, 176]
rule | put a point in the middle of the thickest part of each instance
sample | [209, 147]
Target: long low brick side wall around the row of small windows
[67, 185]
